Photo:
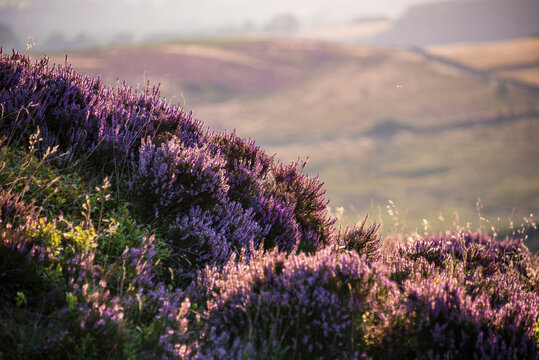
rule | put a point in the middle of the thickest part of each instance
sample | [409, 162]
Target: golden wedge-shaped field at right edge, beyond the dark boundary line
[513, 59]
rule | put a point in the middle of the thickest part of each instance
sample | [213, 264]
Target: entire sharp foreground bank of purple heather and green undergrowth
[128, 230]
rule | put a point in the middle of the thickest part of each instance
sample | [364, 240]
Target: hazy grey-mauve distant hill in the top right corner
[446, 22]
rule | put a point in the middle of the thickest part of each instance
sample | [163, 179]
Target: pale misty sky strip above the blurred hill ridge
[106, 18]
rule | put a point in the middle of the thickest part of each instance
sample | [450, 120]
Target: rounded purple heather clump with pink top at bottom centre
[326, 305]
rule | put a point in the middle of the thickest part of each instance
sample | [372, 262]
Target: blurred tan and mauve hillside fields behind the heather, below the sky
[377, 124]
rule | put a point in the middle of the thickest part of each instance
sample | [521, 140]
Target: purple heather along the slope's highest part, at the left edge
[83, 117]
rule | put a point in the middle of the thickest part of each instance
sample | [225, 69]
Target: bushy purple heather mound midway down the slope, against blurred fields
[285, 209]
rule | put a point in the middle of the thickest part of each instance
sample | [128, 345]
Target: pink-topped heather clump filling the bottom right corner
[464, 295]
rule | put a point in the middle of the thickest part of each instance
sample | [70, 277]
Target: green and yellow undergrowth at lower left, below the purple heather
[72, 212]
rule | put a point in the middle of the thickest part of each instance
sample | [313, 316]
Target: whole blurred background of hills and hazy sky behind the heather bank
[422, 114]
